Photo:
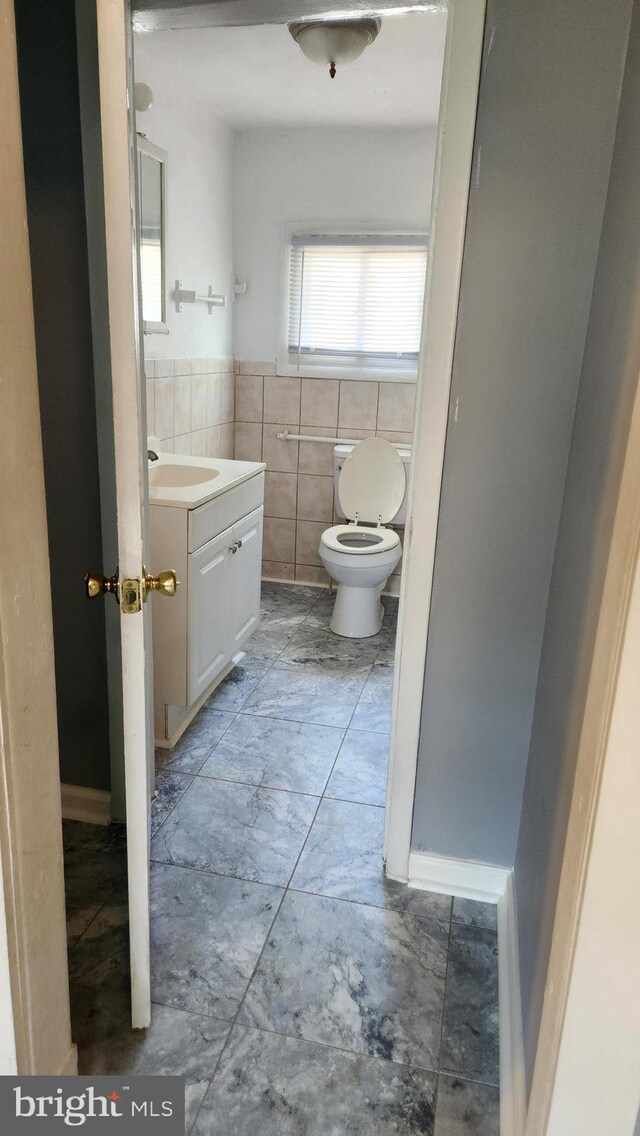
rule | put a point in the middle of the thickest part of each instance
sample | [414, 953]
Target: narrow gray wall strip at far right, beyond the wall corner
[610, 375]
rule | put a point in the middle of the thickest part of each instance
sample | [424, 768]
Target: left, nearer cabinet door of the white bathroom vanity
[211, 586]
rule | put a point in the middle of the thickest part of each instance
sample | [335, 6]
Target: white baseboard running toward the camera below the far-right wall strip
[513, 1091]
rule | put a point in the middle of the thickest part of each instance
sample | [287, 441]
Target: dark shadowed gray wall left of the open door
[51, 119]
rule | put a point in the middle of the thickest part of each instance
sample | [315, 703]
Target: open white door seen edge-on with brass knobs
[129, 438]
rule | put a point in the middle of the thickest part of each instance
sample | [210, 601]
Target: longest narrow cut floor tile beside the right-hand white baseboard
[470, 1033]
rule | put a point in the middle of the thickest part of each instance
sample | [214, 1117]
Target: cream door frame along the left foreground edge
[35, 1004]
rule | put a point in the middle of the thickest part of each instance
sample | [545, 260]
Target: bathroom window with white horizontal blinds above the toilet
[356, 302]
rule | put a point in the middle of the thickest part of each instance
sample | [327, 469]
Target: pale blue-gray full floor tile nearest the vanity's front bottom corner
[275, 754]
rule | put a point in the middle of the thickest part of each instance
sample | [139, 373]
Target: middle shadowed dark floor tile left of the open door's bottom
[101, 957]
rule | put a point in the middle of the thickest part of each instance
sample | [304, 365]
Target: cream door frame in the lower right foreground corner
[576, 1077]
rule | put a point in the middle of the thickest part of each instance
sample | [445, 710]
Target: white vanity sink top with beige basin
[186, 483]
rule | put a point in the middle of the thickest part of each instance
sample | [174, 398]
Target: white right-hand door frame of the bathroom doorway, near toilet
[456, 130]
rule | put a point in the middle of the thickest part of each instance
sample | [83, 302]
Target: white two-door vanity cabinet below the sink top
[217, 552]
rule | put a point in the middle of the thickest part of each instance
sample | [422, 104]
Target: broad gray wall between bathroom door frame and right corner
[548, 103]
